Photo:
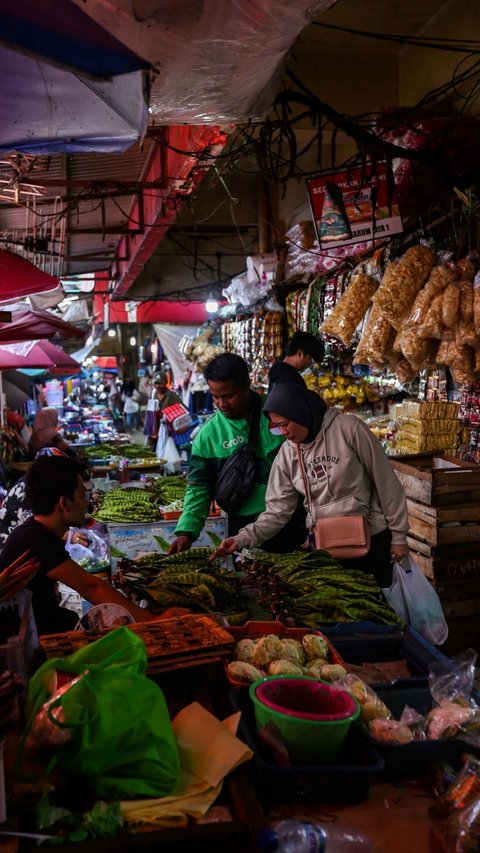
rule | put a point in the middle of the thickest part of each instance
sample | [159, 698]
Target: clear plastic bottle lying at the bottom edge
[296, 836]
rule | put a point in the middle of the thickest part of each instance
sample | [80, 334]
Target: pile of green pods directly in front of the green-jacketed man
[193, 579]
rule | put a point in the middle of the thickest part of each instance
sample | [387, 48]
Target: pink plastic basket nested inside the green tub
[306, 699]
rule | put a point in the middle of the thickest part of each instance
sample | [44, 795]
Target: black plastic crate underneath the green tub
[347, 781]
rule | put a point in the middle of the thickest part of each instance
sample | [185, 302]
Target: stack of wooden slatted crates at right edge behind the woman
[443, 498]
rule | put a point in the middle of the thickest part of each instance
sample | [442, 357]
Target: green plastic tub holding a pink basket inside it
[307, 740]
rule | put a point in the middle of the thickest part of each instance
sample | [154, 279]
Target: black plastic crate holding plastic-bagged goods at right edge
[416, 757]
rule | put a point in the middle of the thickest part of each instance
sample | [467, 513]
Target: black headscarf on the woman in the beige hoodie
[297, 404]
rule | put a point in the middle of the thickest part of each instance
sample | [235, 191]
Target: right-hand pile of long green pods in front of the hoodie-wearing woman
[311, 588]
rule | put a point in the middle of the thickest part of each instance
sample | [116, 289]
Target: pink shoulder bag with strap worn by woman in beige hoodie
[343, 536]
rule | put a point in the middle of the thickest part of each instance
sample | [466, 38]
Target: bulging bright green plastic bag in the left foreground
[122, 735]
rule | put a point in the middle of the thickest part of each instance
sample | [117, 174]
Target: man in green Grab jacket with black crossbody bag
[224, 433]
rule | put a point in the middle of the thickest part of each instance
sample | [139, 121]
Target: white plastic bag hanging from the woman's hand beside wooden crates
[414, 599]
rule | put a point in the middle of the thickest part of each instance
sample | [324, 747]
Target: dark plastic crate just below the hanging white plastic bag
[365, 642]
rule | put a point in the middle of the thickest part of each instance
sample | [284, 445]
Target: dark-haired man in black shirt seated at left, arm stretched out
[58, 497]
